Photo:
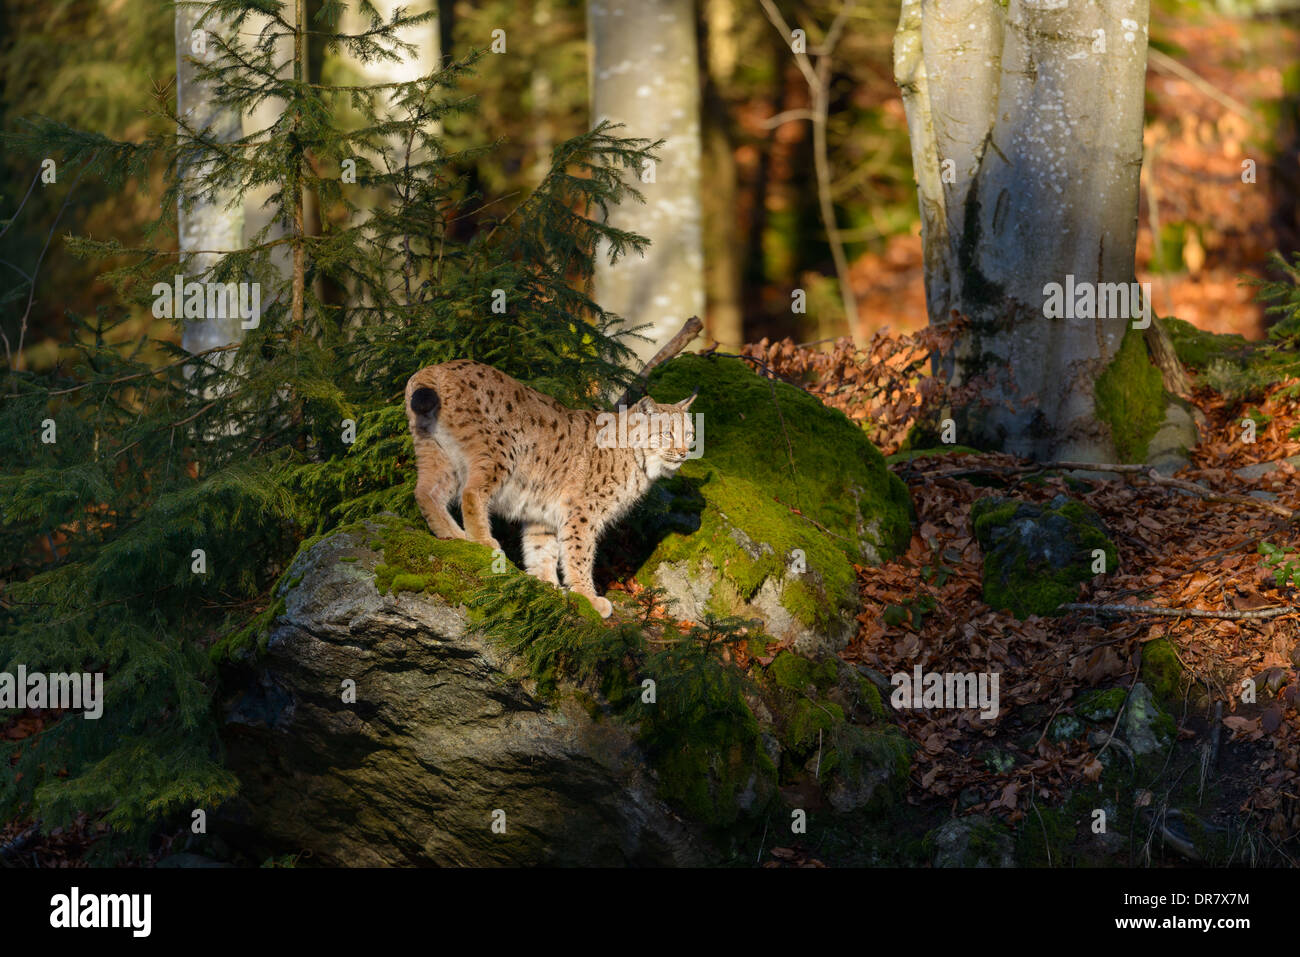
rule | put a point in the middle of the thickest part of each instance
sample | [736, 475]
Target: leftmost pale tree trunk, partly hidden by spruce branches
[211, 227]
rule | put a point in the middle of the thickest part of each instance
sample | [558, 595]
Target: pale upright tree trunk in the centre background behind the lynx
[645, 75]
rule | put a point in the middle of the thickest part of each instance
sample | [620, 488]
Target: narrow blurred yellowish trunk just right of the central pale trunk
[726, 318]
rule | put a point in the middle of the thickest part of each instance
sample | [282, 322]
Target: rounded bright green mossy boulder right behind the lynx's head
[770, 521]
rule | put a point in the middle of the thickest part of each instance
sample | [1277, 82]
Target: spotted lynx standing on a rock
[513, 452]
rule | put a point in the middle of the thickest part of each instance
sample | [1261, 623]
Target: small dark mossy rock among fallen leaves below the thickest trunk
[1035, 557]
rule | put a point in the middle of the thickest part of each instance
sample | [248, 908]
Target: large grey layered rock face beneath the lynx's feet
[441, 739]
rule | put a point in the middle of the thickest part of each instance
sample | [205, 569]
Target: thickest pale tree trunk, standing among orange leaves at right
[1026, 122]
